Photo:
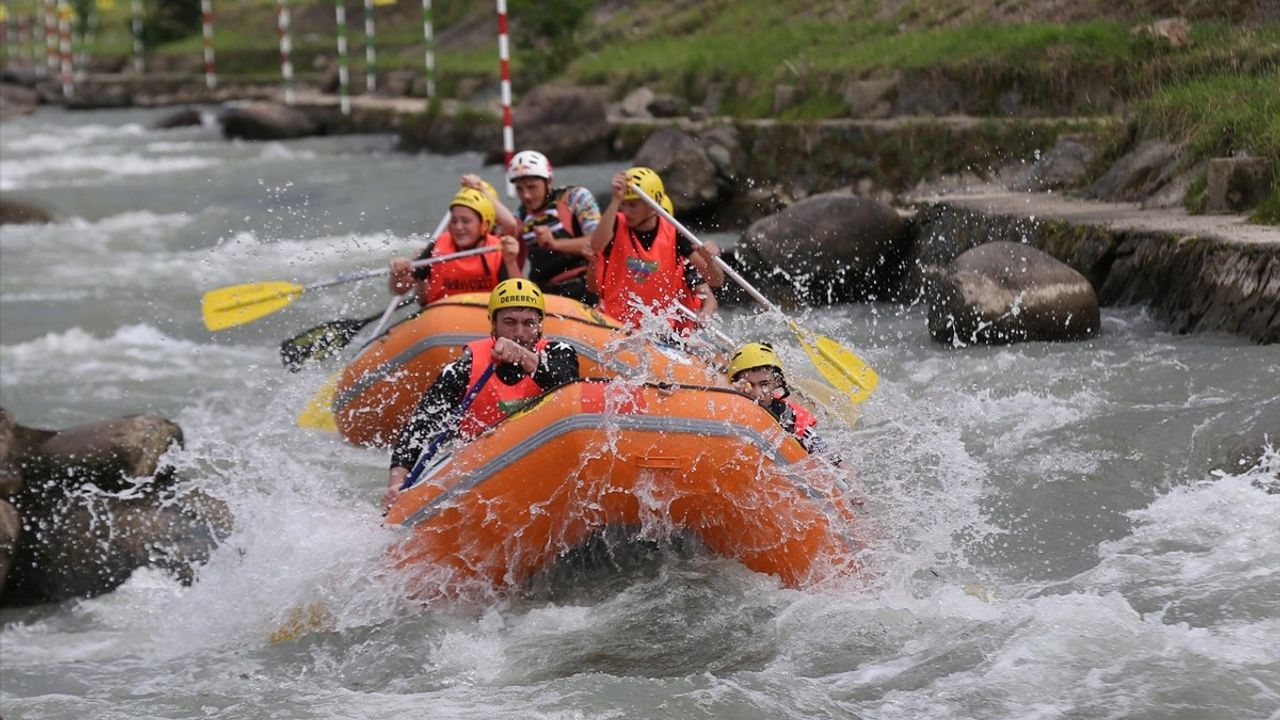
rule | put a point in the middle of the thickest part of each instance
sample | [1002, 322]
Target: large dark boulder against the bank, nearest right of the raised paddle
[833, 248]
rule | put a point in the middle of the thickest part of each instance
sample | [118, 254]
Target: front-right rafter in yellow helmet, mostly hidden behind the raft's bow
[756, 371]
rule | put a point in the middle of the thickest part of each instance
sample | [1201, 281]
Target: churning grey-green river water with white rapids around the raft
[1046, 536]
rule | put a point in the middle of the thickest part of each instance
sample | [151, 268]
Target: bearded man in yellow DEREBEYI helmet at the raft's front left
[493, 379]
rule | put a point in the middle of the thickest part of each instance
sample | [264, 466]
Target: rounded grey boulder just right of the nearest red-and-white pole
[569, 125]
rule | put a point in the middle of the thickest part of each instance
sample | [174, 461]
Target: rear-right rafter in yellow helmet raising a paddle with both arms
[643, 262]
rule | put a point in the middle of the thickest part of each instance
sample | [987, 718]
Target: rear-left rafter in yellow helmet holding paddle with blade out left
[472, 224]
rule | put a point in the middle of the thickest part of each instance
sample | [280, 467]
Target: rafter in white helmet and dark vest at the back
[555, 225]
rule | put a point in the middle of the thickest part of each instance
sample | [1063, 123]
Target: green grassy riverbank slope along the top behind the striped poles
[1214, 89]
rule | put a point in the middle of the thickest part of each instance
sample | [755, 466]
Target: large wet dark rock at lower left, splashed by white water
[95, 504]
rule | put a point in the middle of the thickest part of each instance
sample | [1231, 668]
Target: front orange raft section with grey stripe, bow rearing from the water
[657, 461]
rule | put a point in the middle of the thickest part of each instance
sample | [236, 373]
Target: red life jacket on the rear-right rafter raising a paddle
[656, 276]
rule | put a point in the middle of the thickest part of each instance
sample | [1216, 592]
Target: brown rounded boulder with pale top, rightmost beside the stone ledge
[1004, 293]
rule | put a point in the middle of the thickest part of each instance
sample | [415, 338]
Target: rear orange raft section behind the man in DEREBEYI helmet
[378, 391]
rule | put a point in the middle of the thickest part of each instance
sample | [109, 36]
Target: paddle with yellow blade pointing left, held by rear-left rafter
[241, 304]
